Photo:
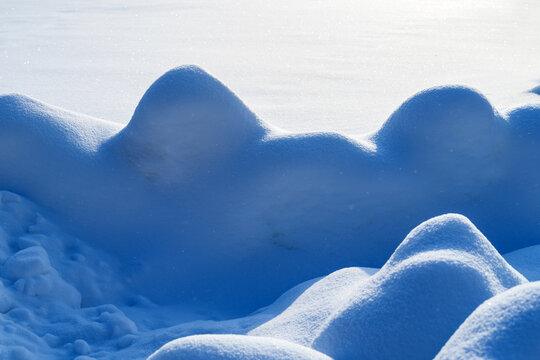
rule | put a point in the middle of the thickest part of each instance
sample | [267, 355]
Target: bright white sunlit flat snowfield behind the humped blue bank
[340, 65]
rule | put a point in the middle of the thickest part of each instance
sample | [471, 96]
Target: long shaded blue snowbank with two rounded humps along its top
[195, 189]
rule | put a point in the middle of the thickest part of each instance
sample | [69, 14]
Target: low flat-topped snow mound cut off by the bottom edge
[234, 347]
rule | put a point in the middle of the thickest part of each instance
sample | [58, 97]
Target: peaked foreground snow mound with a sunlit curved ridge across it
[438, 275]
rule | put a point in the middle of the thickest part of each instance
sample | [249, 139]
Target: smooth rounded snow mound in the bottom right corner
[504, 327]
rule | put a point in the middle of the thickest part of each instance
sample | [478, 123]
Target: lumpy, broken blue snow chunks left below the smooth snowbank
[50, 284]
